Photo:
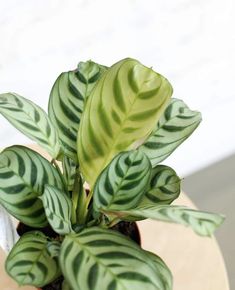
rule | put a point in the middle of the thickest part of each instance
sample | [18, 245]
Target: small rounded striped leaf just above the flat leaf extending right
[164, 186]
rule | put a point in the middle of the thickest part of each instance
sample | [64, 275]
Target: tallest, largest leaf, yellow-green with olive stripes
[123, 108]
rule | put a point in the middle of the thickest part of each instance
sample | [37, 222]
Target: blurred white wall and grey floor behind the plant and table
[192, 43]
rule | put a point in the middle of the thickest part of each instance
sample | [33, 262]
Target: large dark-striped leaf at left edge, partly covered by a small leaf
[23, 174]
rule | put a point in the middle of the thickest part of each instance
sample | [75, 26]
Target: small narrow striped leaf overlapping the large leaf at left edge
[58, 208]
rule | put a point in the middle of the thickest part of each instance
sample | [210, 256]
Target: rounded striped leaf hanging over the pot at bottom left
[29, 262]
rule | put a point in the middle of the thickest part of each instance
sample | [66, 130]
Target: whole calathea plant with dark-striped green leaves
[107, 130]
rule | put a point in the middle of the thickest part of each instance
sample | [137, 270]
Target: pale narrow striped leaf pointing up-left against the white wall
[31, 120]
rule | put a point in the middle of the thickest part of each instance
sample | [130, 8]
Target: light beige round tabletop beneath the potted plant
[196, 262]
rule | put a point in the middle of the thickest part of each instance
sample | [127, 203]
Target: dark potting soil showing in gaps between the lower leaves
[128, 229]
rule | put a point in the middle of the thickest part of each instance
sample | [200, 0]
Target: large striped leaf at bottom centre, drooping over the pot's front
[97, 259]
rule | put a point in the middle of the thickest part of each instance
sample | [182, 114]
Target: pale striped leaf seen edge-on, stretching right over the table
[203, 223]
